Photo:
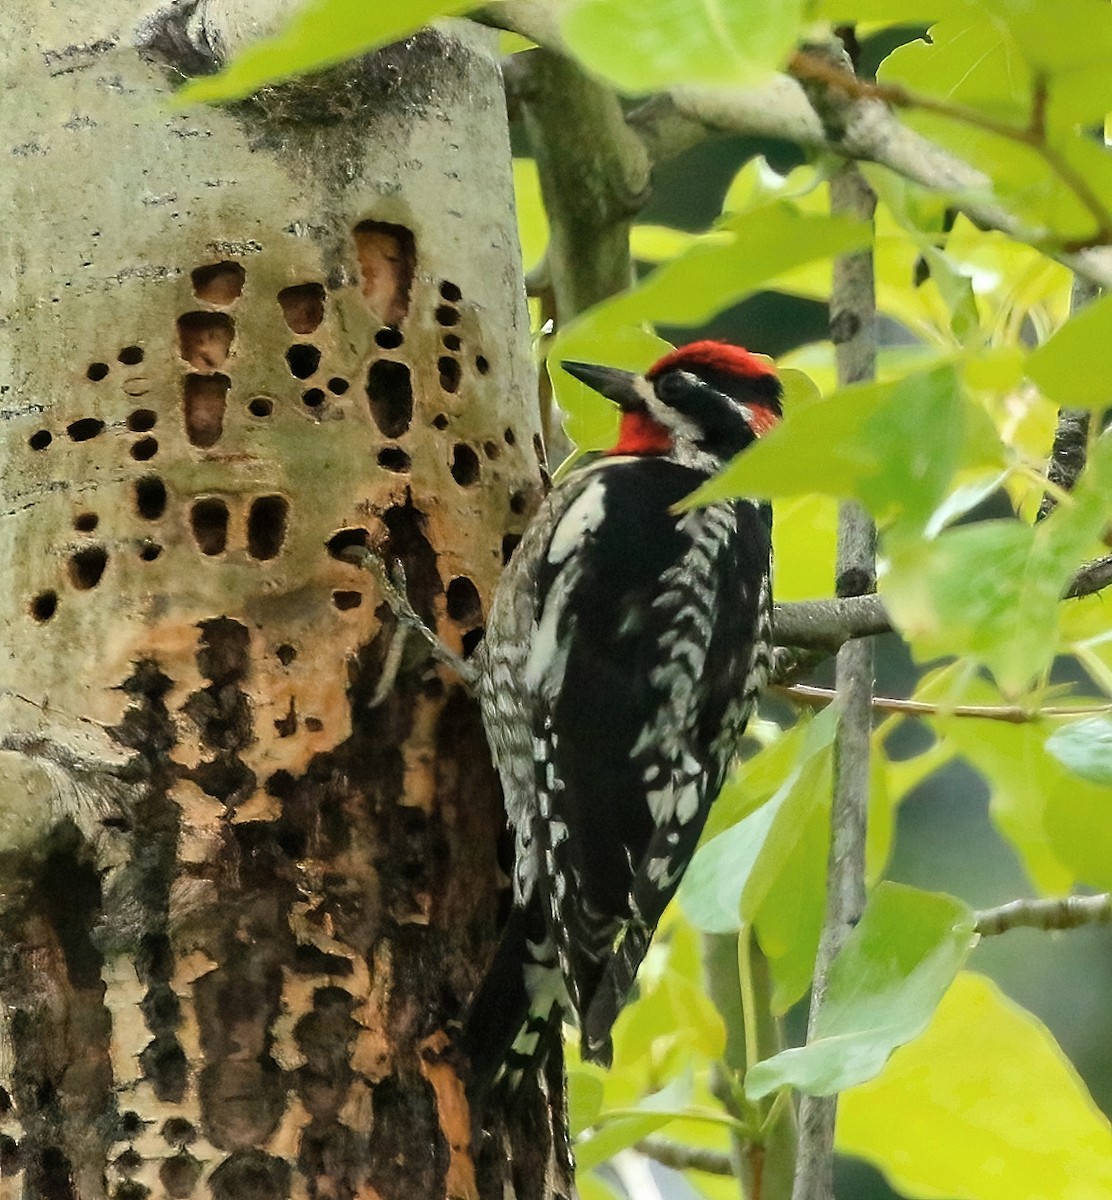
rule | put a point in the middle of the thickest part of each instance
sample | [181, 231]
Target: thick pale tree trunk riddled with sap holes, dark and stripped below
[245, 885]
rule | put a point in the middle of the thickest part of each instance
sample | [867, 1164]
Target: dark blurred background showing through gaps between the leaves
[945, 838]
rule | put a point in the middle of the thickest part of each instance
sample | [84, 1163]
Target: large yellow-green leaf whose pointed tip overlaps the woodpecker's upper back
[894, 447]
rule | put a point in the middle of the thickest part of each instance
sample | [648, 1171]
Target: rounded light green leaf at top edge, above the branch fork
[646, 47]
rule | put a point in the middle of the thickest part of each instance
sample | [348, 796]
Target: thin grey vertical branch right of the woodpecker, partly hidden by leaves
[853, 333]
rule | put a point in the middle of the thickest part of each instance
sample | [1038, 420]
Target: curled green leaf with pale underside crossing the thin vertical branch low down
[883, 988]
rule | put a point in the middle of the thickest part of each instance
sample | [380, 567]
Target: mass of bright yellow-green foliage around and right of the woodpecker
[948, 453]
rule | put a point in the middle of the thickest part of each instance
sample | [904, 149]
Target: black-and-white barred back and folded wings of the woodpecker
[639, 676]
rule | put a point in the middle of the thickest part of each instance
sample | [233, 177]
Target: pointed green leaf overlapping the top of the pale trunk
[320, 35]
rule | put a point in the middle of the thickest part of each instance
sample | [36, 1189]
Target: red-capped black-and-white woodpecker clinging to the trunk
[624, 651]
